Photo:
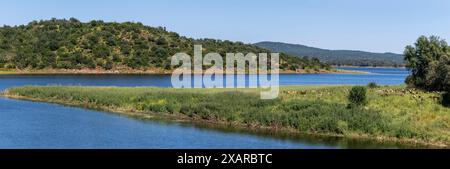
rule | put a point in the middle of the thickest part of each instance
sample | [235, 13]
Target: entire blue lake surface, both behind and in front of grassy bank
[28, 124]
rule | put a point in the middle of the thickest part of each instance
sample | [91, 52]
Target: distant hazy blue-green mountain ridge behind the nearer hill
[336, 57]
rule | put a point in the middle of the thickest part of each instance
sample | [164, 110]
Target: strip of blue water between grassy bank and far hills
[382, 76]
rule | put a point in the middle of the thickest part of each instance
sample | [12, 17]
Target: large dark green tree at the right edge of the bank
[429, 61]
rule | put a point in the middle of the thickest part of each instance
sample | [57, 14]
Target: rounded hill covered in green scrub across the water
[71, 44]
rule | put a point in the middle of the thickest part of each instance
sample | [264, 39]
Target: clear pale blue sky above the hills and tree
[371, 25]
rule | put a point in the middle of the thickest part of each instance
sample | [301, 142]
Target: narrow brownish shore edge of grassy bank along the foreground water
[183, 118]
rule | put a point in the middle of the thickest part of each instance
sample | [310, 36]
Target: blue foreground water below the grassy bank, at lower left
[42, 125]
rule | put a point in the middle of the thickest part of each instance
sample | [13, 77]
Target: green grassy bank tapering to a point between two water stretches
[393, 113]
